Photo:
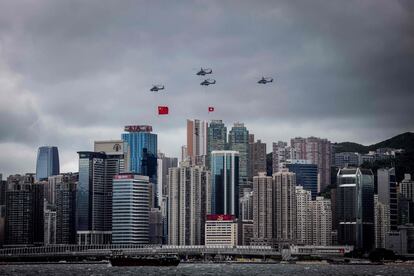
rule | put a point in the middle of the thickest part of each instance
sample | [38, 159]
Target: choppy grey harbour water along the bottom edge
[209, 269]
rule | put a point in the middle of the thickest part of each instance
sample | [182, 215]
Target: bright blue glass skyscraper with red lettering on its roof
[142, 144]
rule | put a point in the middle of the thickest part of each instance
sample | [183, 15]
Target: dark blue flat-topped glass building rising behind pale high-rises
[306, 176]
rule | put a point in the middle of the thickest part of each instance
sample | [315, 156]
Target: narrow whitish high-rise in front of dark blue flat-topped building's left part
[303, 216]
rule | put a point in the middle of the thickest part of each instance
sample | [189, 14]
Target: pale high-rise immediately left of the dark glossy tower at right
[321, 221]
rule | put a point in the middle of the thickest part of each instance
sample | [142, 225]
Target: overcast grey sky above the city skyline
[72, 72]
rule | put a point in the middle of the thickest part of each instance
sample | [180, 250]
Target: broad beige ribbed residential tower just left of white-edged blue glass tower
[188, 203]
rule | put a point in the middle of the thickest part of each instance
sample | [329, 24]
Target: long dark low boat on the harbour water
[144, 261]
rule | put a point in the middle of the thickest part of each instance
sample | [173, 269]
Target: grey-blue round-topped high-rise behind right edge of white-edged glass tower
[239, 141]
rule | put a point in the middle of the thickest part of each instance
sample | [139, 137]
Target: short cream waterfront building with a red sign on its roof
[221, 230]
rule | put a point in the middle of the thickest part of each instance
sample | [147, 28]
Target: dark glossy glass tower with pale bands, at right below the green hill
[355, 207]
